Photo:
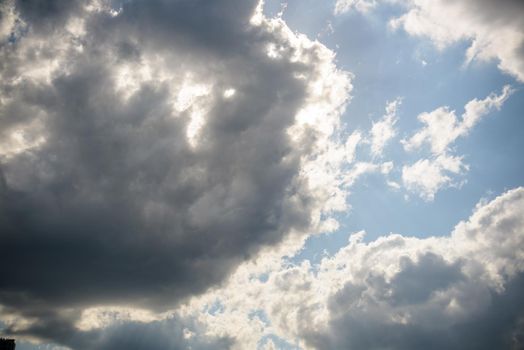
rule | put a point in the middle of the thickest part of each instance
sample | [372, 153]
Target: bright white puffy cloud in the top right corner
[493, 28]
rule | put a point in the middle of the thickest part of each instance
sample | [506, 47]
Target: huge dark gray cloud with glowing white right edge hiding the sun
[130, 176]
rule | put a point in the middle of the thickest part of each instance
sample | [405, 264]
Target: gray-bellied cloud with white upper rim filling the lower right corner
[461, 292]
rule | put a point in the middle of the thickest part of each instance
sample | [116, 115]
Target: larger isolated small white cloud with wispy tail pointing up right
[441, 128]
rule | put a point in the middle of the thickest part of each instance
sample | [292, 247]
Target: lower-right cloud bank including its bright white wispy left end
[397, 292]
